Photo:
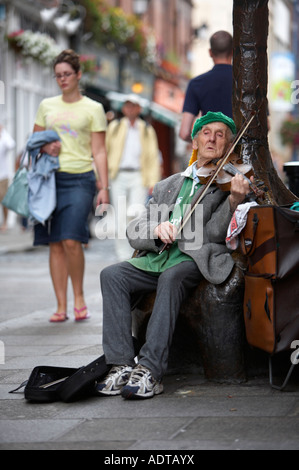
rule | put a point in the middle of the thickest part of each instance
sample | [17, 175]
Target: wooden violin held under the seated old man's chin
[223, 178]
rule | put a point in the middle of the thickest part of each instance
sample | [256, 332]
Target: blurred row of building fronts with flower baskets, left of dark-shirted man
[125, 48]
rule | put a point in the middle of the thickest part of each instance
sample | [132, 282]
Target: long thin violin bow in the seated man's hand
[201, 194]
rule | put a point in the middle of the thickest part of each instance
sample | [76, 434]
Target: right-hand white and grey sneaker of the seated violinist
[141, 384]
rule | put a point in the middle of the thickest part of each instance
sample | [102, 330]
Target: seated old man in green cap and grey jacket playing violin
[191, 257]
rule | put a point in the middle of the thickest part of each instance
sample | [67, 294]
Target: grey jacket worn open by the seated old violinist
[203, 237]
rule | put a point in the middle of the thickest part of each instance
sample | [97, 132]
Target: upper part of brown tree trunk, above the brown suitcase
[250, 71]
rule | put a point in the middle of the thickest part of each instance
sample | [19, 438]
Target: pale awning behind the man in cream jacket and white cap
[157, 112]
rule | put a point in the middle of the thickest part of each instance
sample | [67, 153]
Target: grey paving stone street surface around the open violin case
[192, 414]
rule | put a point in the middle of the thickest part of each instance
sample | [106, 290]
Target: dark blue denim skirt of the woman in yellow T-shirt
[74, 202]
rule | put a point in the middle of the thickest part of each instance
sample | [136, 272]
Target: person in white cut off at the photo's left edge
[6, 144]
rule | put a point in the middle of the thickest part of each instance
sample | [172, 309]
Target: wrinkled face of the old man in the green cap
[212, 141]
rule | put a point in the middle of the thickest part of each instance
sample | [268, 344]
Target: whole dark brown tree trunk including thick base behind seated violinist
[210, 329]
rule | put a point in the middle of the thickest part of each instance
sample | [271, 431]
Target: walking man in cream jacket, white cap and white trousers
[134, 166]
